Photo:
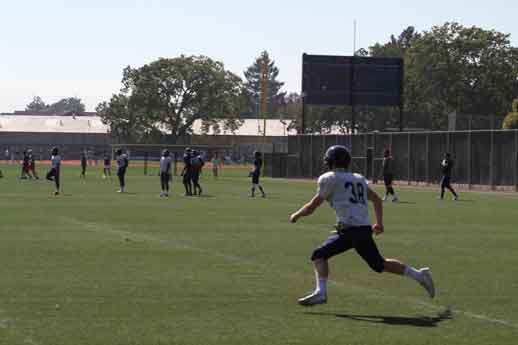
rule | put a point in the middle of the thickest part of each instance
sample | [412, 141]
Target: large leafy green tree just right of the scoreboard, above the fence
[467, 70]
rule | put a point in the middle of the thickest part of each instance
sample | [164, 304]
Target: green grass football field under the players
[96, 267]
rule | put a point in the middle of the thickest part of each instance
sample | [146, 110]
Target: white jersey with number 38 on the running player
[347, 194]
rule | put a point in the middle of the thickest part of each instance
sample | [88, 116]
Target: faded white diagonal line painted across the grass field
[104, 228]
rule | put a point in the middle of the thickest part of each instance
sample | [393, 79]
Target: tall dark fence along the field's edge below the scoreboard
[483, 158]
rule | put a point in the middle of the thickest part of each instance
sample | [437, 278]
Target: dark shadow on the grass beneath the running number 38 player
[417, 321]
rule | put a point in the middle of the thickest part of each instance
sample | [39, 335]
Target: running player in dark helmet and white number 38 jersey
[348, 193]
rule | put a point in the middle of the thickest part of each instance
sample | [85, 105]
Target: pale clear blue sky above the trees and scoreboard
[56, 48]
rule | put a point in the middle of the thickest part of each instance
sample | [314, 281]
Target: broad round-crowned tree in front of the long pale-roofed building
[169, 95]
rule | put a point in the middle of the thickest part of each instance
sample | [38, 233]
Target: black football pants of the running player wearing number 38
[359, 238]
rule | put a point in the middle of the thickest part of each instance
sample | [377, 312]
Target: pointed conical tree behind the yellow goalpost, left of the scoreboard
[253, 85]
